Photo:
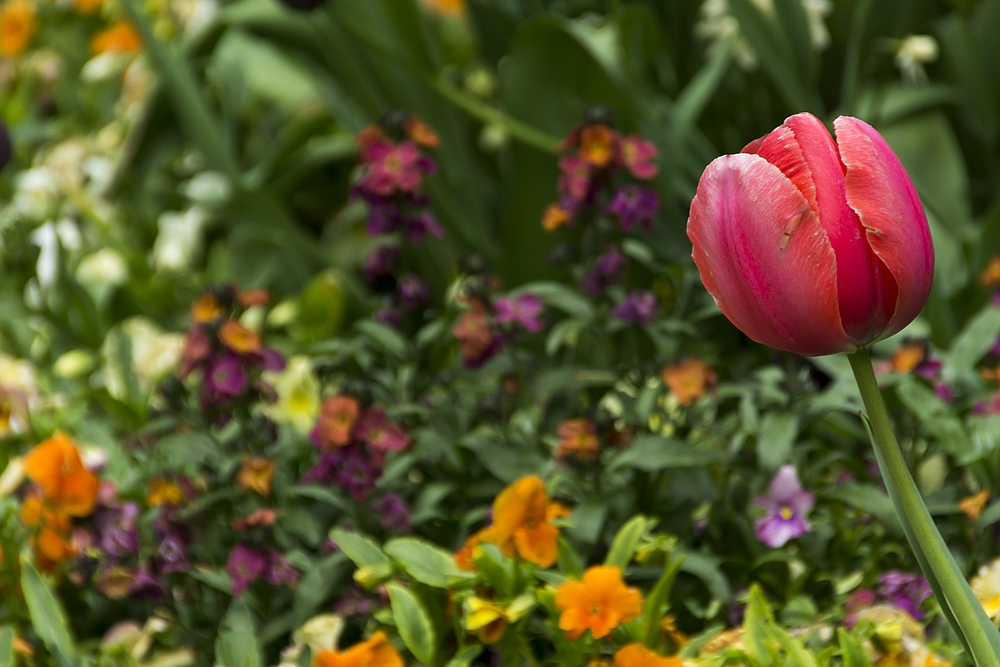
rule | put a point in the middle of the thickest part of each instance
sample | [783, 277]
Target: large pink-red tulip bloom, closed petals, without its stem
[812, 246]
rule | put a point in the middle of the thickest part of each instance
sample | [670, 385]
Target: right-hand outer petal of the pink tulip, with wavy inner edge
[880, 191]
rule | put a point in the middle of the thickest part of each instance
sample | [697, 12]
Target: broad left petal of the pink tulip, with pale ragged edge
[765, 258]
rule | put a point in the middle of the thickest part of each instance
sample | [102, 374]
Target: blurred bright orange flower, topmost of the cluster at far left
[56, 466]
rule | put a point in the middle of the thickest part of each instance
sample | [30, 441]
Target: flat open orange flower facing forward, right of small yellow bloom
[599, 603]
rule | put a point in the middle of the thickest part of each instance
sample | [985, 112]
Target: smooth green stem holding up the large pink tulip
[964, 612]
